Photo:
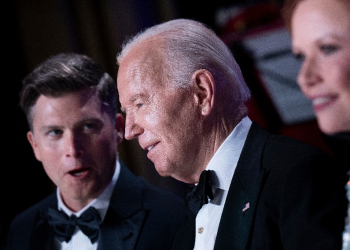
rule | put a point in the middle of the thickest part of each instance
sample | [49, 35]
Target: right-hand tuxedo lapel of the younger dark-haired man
[122, 224]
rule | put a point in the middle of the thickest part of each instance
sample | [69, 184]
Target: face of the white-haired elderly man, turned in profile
[164, 119]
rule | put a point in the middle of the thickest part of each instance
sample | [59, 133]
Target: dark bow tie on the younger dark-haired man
[64, 226]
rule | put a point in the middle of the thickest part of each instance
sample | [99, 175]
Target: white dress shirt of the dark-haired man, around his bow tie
[79, 240]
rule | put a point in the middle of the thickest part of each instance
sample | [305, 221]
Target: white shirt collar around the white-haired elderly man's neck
[225, 159]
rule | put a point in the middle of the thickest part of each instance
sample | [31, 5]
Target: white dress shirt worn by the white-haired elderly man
[223, 163]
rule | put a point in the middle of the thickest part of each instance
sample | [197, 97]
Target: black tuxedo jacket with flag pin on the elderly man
[296, 197]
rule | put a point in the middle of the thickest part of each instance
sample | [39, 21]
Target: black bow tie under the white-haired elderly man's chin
[197, 196]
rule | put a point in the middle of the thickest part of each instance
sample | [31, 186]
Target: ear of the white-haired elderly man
[204, 85]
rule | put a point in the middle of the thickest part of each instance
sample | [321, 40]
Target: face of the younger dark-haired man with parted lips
[76, 141]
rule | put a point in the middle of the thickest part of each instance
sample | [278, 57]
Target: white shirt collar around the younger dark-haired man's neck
[101, 203]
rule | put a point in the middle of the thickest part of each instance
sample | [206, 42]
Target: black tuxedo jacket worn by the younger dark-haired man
[140, 217]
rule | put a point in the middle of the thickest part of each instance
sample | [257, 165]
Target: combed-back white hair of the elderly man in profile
[187, 46]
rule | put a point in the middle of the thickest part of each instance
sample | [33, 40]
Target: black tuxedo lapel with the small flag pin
[241, 202]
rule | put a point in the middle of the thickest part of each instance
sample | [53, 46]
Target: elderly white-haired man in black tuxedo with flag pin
[184, 97]
